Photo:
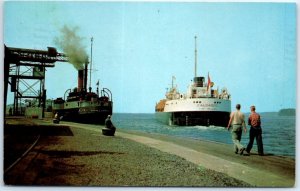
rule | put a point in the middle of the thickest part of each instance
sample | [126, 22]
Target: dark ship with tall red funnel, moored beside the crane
[82, 105]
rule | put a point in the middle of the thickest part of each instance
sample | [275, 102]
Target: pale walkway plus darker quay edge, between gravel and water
[277, 171]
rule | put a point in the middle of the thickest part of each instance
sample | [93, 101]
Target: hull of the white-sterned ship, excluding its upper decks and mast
[196, 111]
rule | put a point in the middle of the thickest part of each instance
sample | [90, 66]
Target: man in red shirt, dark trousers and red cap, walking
[255, 132]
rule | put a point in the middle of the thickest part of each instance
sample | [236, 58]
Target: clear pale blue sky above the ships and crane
[249, 48]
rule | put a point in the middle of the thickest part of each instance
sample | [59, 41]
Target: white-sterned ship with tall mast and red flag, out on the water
[201, 105]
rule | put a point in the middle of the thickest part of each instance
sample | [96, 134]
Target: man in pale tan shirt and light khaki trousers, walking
[237, 121]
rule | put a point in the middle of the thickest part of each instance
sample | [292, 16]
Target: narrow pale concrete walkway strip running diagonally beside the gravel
[260, 177]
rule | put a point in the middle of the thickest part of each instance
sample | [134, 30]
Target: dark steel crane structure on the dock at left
[24, 71]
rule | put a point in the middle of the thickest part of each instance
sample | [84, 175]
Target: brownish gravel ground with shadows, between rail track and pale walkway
[74, 156]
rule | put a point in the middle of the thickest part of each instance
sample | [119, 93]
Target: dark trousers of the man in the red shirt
[257, 134]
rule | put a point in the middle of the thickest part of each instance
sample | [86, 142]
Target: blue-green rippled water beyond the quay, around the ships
[278, 131]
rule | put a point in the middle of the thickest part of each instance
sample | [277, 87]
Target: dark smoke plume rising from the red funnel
[72, 46]
